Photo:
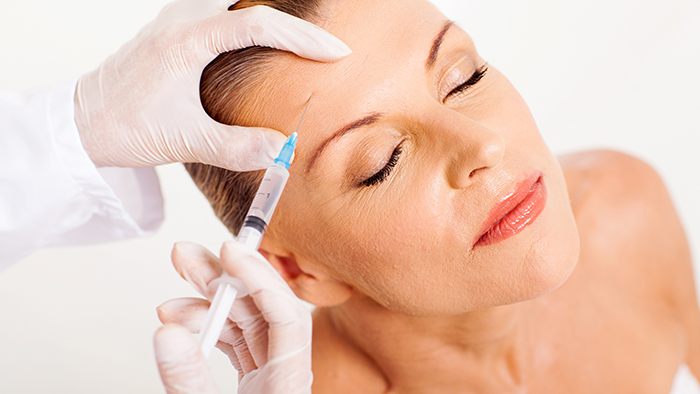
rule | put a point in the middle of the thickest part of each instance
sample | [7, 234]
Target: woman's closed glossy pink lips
[515, 212]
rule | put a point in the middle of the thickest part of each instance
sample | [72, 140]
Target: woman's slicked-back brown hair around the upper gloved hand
[225, 93]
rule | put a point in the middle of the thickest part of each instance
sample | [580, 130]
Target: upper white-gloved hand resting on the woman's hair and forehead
[141, 107]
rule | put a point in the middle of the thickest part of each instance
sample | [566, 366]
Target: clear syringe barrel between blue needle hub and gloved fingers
[266, 199]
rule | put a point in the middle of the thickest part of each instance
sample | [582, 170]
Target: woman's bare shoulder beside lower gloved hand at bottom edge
[338, 366]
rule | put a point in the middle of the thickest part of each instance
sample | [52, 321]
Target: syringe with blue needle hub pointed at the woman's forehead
[259, 215]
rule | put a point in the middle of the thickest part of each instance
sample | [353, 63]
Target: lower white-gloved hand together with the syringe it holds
[269, 340]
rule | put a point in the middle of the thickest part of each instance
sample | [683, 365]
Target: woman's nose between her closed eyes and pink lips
[470, 148]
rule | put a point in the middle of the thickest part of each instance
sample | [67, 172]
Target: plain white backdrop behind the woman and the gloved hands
[619, 74]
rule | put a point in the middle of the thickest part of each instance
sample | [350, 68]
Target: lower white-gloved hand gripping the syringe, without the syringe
[268, 336]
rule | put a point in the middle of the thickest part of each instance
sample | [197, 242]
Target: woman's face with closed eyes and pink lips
[405, 158]
